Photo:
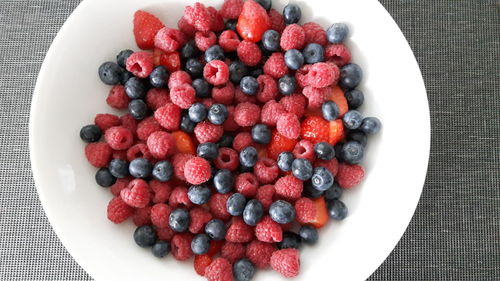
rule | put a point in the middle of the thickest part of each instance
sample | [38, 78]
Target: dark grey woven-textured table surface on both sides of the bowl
[455, 232]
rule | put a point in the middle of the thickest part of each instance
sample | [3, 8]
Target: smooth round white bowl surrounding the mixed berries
[68, 94]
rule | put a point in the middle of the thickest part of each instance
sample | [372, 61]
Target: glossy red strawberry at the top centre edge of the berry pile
[253, 22]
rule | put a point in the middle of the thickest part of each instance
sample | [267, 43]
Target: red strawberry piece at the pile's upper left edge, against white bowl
[146, 26]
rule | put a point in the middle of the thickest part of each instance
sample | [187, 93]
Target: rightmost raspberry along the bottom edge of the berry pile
[286, 262]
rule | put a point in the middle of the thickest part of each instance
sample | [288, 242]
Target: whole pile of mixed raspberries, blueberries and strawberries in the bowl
[242, 131]
